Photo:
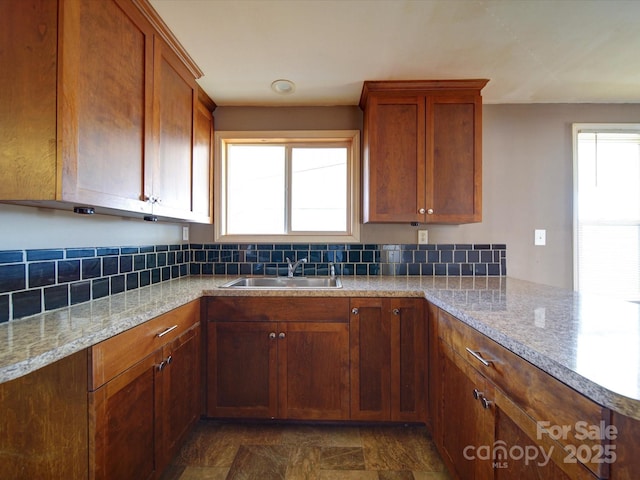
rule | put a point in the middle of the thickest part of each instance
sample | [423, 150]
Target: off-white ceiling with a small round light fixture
[533, 51]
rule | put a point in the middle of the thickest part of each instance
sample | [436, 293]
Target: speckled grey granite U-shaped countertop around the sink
[591, 343]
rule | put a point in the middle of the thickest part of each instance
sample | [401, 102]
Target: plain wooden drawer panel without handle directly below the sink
[280, 309]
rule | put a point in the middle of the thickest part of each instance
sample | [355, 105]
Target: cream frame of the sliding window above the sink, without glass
[352, 137]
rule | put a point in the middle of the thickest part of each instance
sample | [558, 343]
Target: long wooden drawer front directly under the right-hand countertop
[562, 413]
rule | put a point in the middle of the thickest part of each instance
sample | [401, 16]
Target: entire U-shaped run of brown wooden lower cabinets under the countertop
[304, 359]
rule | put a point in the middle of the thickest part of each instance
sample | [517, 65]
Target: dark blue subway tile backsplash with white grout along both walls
[34, 281]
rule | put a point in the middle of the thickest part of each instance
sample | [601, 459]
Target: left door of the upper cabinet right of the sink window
[394, 159]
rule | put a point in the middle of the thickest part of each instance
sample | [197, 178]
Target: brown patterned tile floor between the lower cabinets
[240, 451]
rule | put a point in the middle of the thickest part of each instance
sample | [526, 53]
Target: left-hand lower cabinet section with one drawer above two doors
[140, 412]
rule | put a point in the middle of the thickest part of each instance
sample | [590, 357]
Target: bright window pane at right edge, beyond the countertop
[608, 213]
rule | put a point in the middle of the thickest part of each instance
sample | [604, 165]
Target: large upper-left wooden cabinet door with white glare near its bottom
[105, 103]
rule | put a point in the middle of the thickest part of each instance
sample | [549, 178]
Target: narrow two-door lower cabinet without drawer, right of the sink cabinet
[388, 342]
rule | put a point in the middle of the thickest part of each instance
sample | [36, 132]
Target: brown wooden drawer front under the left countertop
[114, 355]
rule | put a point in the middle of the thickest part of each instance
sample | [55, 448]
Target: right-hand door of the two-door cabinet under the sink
[313, 370]
